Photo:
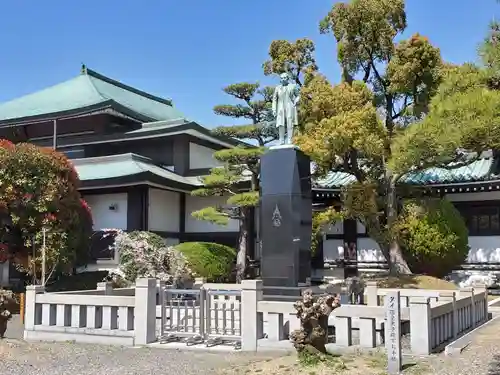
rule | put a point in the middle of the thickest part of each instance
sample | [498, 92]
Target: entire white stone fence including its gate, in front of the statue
[216, 312]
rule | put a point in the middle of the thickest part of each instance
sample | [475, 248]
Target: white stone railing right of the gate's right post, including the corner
[435, 318]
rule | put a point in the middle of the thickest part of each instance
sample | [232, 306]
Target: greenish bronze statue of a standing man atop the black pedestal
[285, 99]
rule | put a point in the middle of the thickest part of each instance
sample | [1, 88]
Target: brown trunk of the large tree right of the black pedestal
[393, 254]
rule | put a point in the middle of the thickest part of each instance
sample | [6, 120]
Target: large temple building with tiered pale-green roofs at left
[137, 156]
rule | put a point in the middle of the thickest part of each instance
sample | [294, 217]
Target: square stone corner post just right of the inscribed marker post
[420, 325]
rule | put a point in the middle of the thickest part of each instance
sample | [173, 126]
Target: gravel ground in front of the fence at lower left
[20, 358]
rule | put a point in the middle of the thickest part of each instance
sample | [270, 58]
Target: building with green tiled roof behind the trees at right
[473, 189]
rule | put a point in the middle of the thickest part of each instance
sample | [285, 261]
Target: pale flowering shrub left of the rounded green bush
[144, 254]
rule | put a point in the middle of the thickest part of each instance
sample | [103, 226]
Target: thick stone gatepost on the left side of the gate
[145, 311]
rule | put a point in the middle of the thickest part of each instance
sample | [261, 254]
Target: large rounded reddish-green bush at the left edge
[38, 189]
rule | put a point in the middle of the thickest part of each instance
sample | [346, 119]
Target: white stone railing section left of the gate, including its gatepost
[92, 316]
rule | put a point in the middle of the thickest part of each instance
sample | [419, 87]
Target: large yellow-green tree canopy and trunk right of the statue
[398, 110]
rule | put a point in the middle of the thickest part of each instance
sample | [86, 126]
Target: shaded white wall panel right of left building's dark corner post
[163, 213]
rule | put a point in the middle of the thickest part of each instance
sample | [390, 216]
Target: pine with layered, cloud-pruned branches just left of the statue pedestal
[238, 177]
